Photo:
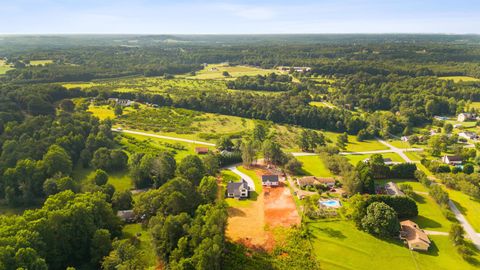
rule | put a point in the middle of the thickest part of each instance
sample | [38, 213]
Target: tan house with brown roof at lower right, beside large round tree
[415, 237]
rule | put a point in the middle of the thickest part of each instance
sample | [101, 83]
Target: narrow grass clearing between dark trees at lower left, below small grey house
[146, 246]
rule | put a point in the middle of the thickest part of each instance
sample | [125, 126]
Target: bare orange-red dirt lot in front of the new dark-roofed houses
[252, 225]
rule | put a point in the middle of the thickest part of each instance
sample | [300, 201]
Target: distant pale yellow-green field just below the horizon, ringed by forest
[214, 72]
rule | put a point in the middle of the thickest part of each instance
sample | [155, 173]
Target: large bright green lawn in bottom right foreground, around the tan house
[339, 245]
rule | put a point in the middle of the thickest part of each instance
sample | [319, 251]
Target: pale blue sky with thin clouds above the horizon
[238, 17]
